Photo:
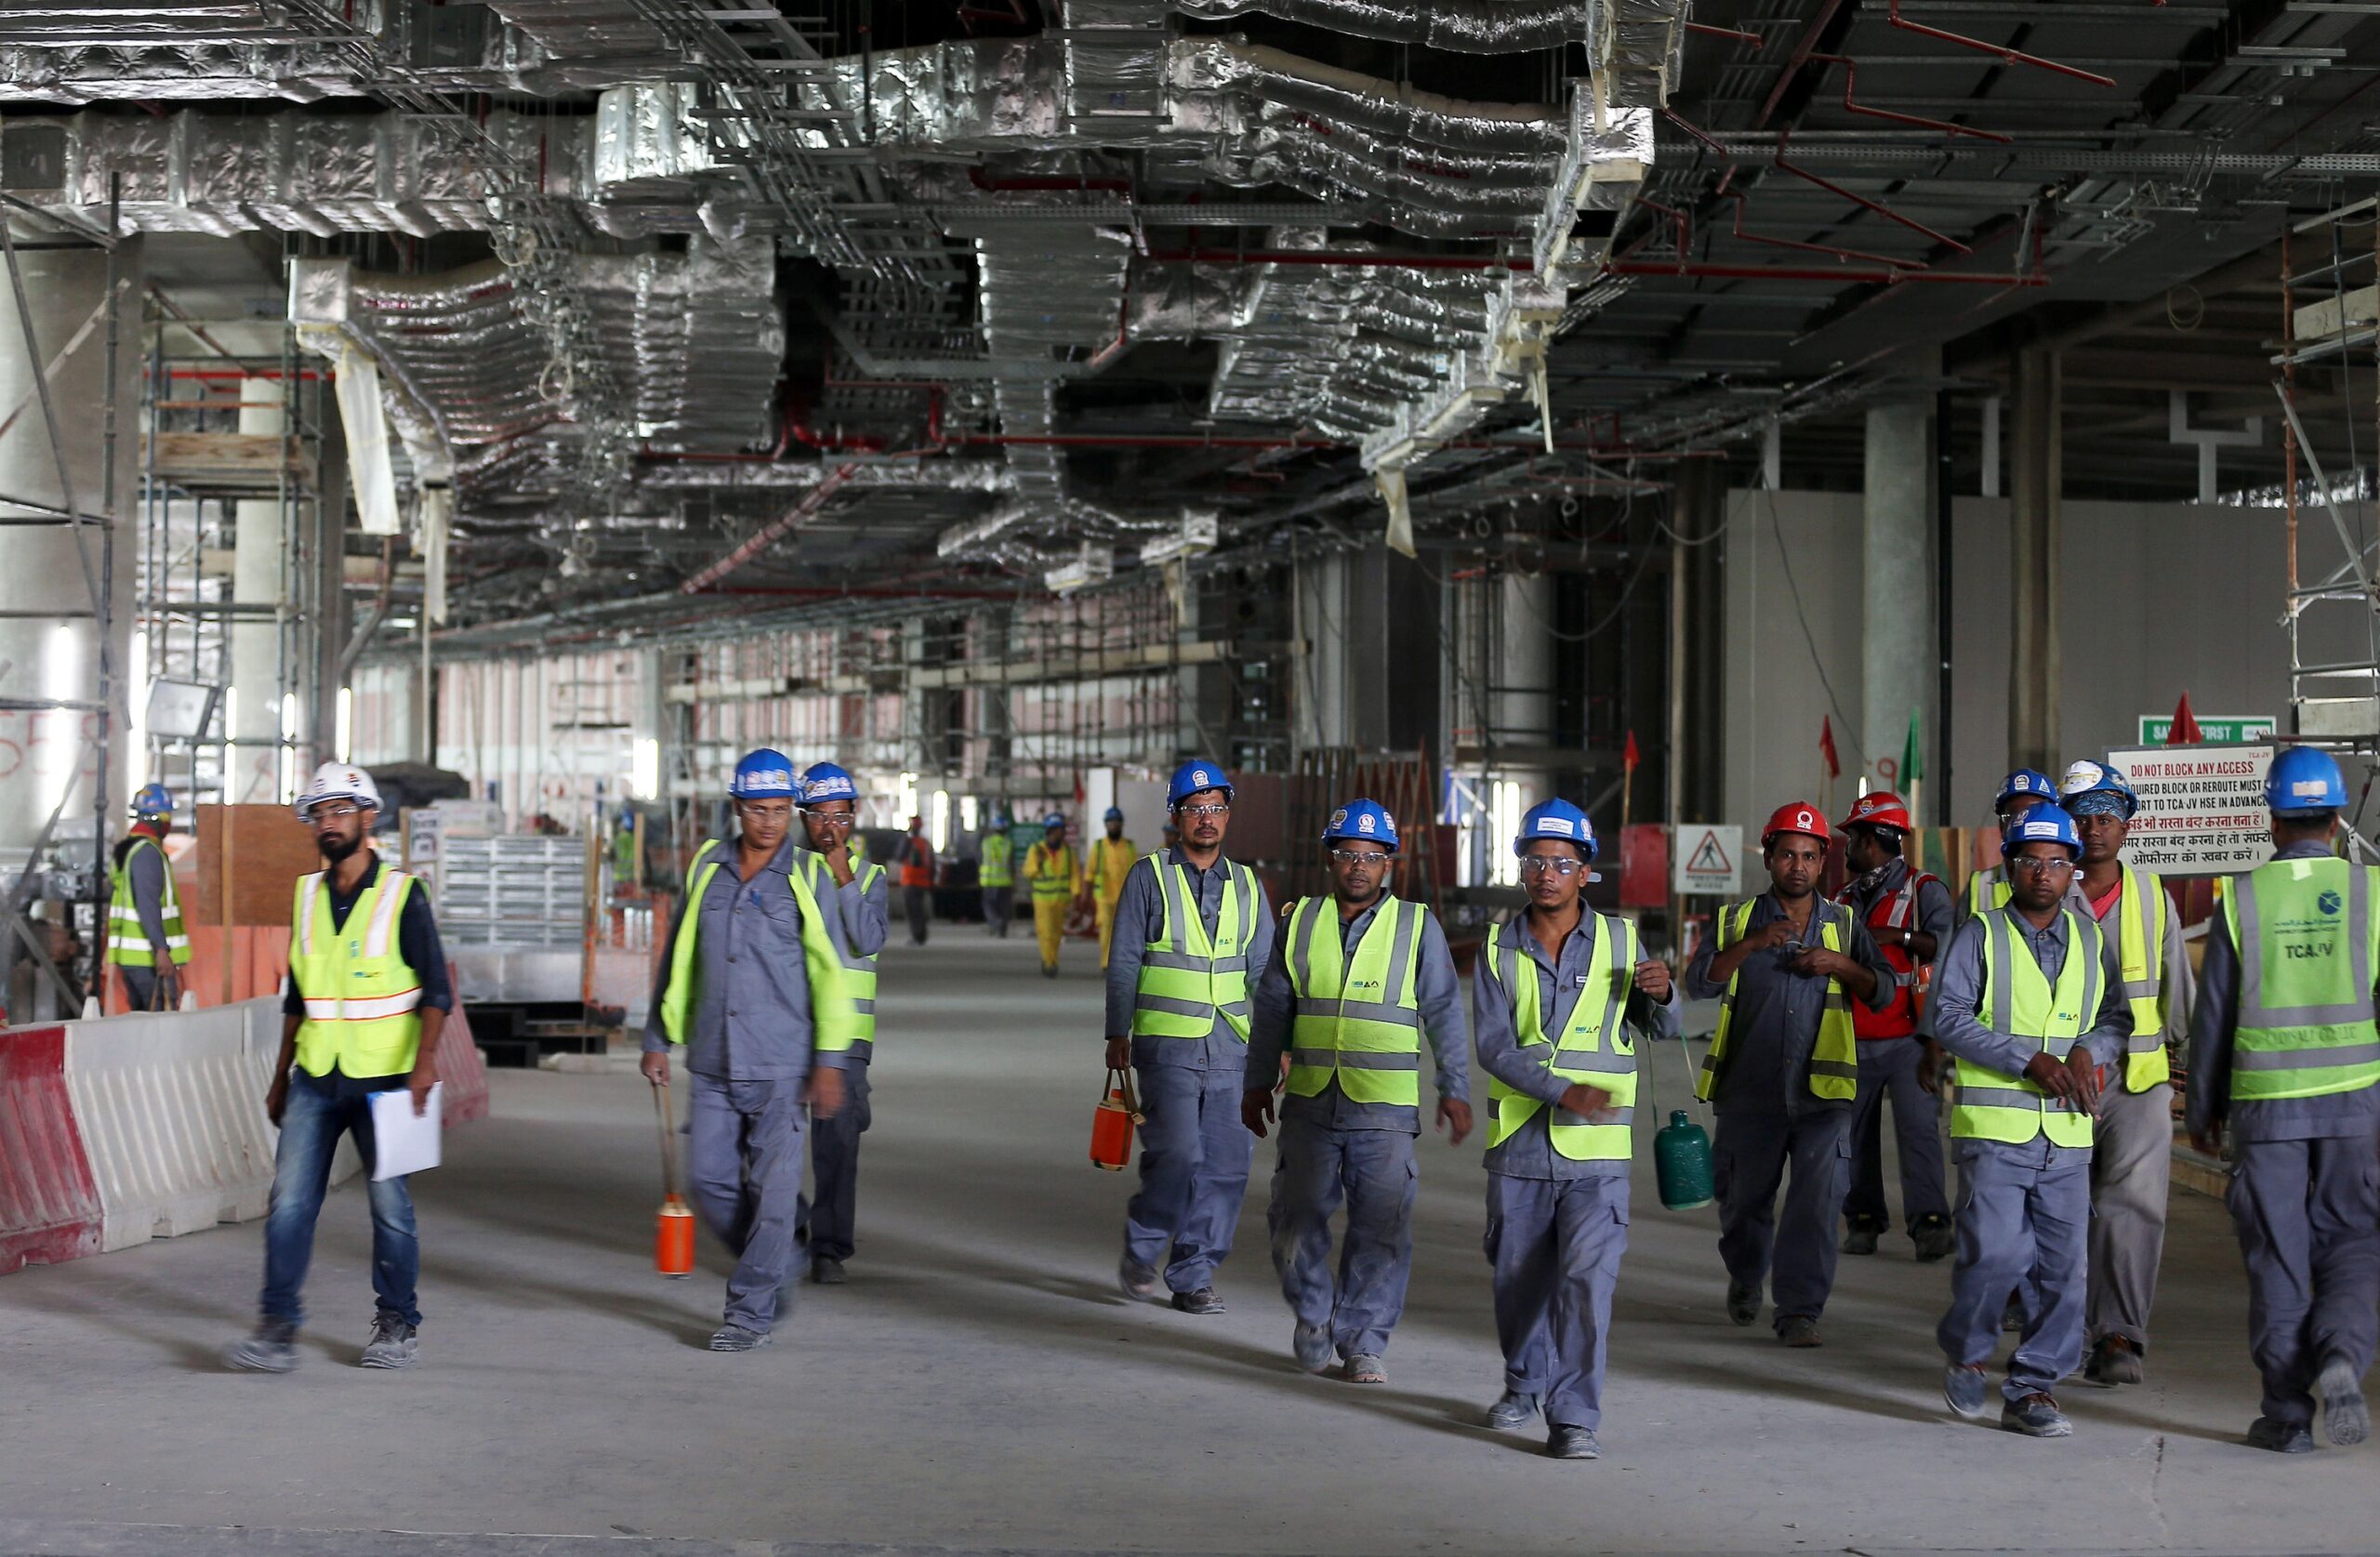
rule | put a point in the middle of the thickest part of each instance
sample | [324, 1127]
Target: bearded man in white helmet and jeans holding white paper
[363, 1006]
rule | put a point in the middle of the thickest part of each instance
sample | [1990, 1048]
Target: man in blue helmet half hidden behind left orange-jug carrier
[853, 903]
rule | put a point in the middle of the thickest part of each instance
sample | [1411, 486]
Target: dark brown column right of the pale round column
[2036, 475]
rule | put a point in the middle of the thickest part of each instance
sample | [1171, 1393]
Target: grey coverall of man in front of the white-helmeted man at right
[2024, 1211]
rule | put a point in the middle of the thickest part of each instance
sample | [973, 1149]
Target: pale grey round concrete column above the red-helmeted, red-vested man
[1898, 584]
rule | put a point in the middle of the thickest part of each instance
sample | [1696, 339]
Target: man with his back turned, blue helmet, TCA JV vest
[2284, 1056]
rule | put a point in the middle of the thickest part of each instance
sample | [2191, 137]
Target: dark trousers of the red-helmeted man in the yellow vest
[1750, 1163]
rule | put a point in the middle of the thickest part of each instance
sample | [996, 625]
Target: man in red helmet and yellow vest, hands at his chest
[1784, 1073]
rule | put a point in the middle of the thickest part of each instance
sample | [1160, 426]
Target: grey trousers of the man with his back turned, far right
[2310, 1234]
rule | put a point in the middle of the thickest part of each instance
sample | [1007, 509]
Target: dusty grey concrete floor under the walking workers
[982, 1387]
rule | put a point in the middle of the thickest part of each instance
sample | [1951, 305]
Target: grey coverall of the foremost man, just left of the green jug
[1555, 1227]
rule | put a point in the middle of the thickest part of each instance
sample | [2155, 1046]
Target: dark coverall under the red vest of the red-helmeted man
[1896, 1065]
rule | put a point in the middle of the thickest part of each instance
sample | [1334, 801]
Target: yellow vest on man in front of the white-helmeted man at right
[2019, 1001]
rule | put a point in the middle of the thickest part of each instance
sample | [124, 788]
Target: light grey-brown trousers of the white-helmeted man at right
[2131, 1177]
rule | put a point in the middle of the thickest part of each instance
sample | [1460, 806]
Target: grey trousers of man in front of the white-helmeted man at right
[2024, 1223]
